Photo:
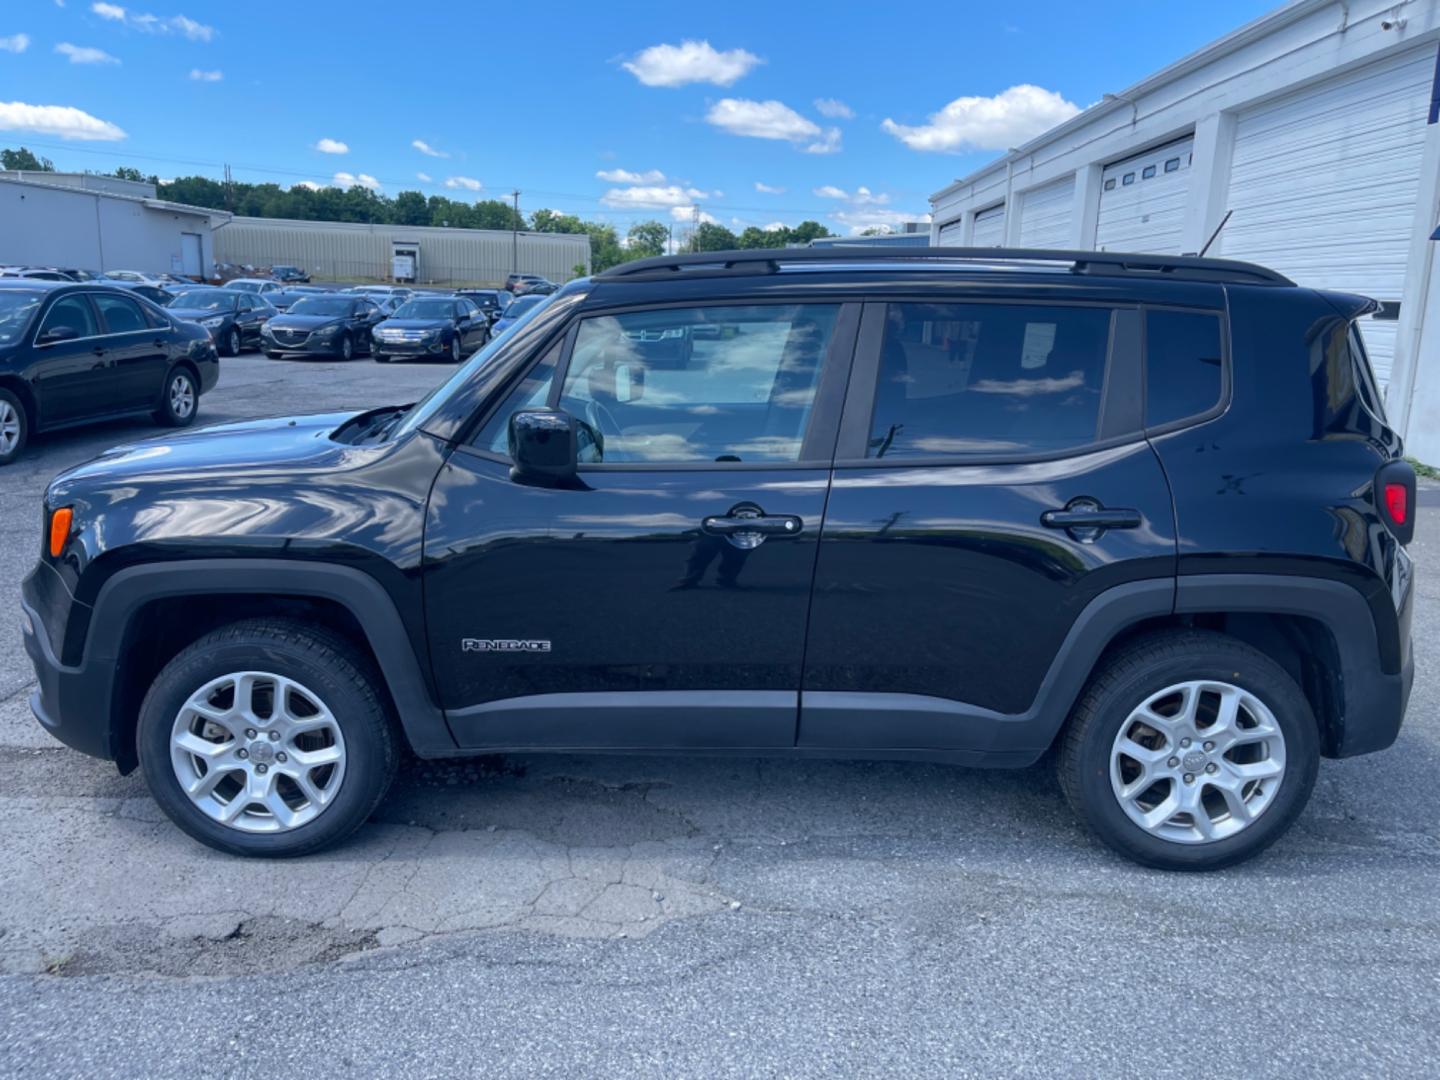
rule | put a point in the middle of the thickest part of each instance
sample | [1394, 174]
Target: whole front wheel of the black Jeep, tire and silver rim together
[269, 738]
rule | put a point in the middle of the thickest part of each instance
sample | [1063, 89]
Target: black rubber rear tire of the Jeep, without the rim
[1252, 673]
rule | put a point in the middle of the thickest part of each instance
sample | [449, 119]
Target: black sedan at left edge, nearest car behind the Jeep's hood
[71, 355]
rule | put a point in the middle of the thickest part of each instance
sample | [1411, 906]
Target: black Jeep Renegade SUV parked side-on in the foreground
[947, 505]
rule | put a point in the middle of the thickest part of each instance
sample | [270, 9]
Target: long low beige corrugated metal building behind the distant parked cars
[335, 251]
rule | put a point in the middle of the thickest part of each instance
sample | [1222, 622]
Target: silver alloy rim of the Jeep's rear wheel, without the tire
[1197, 762]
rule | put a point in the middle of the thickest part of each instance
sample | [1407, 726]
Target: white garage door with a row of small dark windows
[1143, 201]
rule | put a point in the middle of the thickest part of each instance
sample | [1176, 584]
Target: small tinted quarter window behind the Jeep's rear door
[1184, 365]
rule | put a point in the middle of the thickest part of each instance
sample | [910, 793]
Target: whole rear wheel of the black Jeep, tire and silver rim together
[1190, 751]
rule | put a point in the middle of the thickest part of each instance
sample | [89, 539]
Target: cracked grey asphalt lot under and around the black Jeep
[649, 917]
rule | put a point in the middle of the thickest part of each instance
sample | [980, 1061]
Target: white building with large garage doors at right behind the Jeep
[1314, 129]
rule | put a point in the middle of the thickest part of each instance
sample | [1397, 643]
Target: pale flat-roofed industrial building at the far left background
[102, 224]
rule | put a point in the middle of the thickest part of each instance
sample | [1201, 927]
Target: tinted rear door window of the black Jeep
[961, 379]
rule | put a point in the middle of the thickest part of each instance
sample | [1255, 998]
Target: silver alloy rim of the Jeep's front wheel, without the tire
[258, 752]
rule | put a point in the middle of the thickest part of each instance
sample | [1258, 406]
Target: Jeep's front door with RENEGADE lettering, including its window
[665, 604]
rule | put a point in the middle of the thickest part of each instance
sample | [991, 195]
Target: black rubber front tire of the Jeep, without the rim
[355, 714]
